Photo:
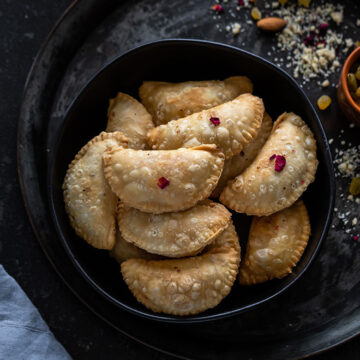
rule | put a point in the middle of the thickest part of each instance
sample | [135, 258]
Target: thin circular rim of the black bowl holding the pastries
[200, 318]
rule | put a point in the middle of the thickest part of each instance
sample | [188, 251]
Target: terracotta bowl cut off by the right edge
[346, 102]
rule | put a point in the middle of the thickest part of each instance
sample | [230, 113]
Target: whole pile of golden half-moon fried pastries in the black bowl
[142, 191]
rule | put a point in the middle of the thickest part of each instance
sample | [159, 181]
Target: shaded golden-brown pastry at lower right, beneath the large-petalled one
[275, 245]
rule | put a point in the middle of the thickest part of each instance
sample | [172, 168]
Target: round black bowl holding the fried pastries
[181, 60]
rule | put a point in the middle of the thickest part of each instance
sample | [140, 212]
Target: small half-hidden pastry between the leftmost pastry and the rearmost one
[129, 116]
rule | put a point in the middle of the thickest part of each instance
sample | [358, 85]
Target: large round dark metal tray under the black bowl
[319, 311]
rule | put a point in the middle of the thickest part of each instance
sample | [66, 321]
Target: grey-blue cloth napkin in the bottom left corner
[23, 333]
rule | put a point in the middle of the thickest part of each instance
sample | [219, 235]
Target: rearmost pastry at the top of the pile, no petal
[170, 101]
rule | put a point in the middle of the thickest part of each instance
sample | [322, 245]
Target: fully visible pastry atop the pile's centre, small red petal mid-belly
[163, 181]
